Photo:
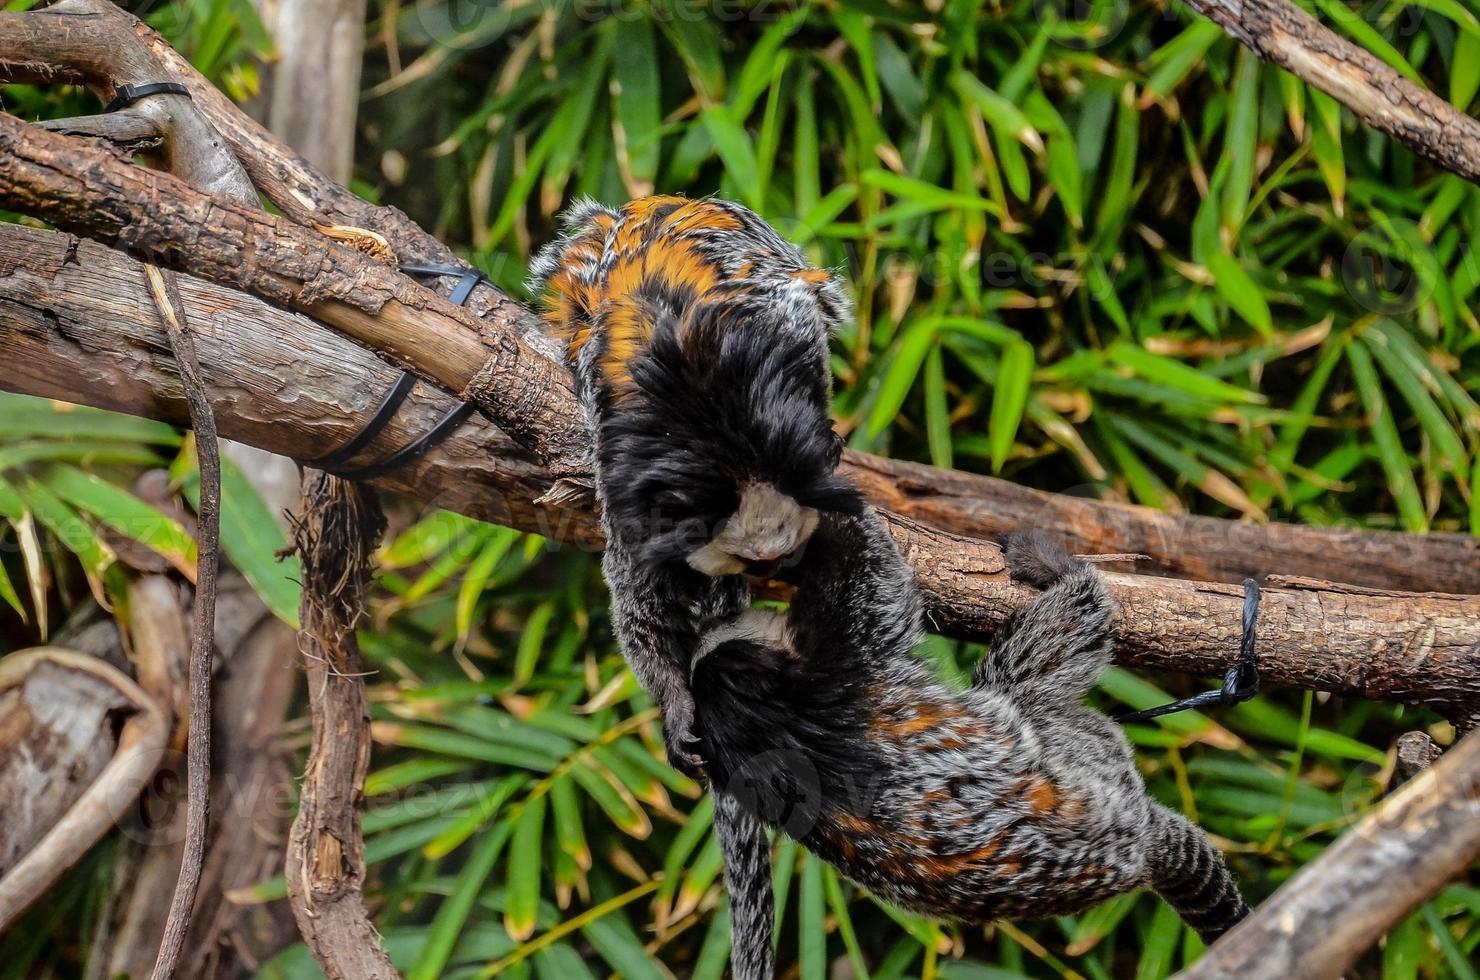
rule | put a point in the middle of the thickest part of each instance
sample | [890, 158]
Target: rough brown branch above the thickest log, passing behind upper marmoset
[531, 396]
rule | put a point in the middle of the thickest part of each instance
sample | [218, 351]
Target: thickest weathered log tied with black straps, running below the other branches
[291, 386]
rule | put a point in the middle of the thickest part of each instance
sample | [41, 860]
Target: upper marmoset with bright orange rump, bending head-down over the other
[699, 346]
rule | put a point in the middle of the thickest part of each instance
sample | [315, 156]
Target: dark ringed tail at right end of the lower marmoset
[1189, 873]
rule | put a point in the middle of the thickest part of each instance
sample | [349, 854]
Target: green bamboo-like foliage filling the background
[1115, 255]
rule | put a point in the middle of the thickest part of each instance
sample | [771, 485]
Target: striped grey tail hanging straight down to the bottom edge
[748, 880]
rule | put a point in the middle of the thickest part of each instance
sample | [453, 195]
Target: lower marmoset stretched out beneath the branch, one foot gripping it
[1007, 800]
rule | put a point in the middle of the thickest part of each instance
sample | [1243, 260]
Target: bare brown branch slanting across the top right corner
[1282, 33]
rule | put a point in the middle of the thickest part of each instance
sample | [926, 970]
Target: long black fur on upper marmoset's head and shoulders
[726, 393]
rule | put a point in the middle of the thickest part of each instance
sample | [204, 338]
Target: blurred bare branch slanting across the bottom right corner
[1402, 853]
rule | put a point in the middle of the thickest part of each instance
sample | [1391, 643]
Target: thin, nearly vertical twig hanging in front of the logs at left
[203, 628]
